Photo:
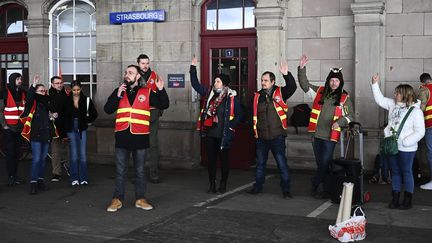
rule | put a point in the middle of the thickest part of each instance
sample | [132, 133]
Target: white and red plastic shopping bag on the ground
[353, 229]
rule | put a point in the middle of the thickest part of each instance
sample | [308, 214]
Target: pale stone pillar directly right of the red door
[271, 37]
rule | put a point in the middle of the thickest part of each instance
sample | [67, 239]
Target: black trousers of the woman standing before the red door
[213, 151]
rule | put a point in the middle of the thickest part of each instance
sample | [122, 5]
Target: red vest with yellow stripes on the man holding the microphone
[137, 116]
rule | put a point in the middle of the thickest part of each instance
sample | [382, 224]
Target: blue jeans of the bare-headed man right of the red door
[277, 147]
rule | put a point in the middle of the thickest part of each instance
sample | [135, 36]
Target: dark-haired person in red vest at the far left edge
[11, 106]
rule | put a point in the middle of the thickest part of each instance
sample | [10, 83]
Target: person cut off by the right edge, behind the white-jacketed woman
[426, 106]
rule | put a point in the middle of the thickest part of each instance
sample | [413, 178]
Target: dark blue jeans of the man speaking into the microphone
[122, 168]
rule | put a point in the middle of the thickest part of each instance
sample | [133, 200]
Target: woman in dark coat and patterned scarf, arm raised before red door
[220, 114]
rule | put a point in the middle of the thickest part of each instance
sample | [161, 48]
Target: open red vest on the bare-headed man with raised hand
[278, 103]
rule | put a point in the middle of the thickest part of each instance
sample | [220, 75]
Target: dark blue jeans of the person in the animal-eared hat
[323, 150]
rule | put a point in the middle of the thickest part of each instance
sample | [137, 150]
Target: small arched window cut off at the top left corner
[12, 18]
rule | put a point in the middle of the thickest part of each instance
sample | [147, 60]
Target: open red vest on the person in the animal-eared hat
[316, 110]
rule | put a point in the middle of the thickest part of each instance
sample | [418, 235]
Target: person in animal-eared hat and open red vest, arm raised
[332, 109]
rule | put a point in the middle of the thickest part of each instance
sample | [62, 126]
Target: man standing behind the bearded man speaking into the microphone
[149, 78]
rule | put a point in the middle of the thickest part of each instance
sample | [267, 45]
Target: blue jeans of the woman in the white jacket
[401, 166]
